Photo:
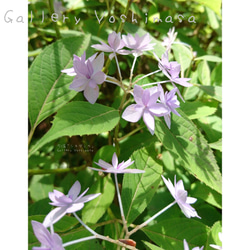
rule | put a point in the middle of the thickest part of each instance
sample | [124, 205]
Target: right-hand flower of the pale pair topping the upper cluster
[138, 44]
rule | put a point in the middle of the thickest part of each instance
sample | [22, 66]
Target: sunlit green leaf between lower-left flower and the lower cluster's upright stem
[96, 208]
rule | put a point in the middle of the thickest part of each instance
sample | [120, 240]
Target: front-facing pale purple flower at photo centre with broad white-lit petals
[146, 106]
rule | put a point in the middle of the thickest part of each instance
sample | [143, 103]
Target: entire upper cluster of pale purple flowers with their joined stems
[150, 102]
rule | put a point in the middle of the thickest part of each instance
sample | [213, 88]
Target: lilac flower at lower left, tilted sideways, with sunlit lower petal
[67, 203]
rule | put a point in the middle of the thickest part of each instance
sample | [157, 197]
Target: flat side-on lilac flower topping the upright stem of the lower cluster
[117, 168]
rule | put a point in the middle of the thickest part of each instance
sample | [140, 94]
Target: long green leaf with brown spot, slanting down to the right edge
[189, 147]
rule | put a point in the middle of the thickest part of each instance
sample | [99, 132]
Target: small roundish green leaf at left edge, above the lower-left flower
[40, 186]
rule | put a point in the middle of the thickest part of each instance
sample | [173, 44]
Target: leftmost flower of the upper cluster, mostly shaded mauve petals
[88, 75]
